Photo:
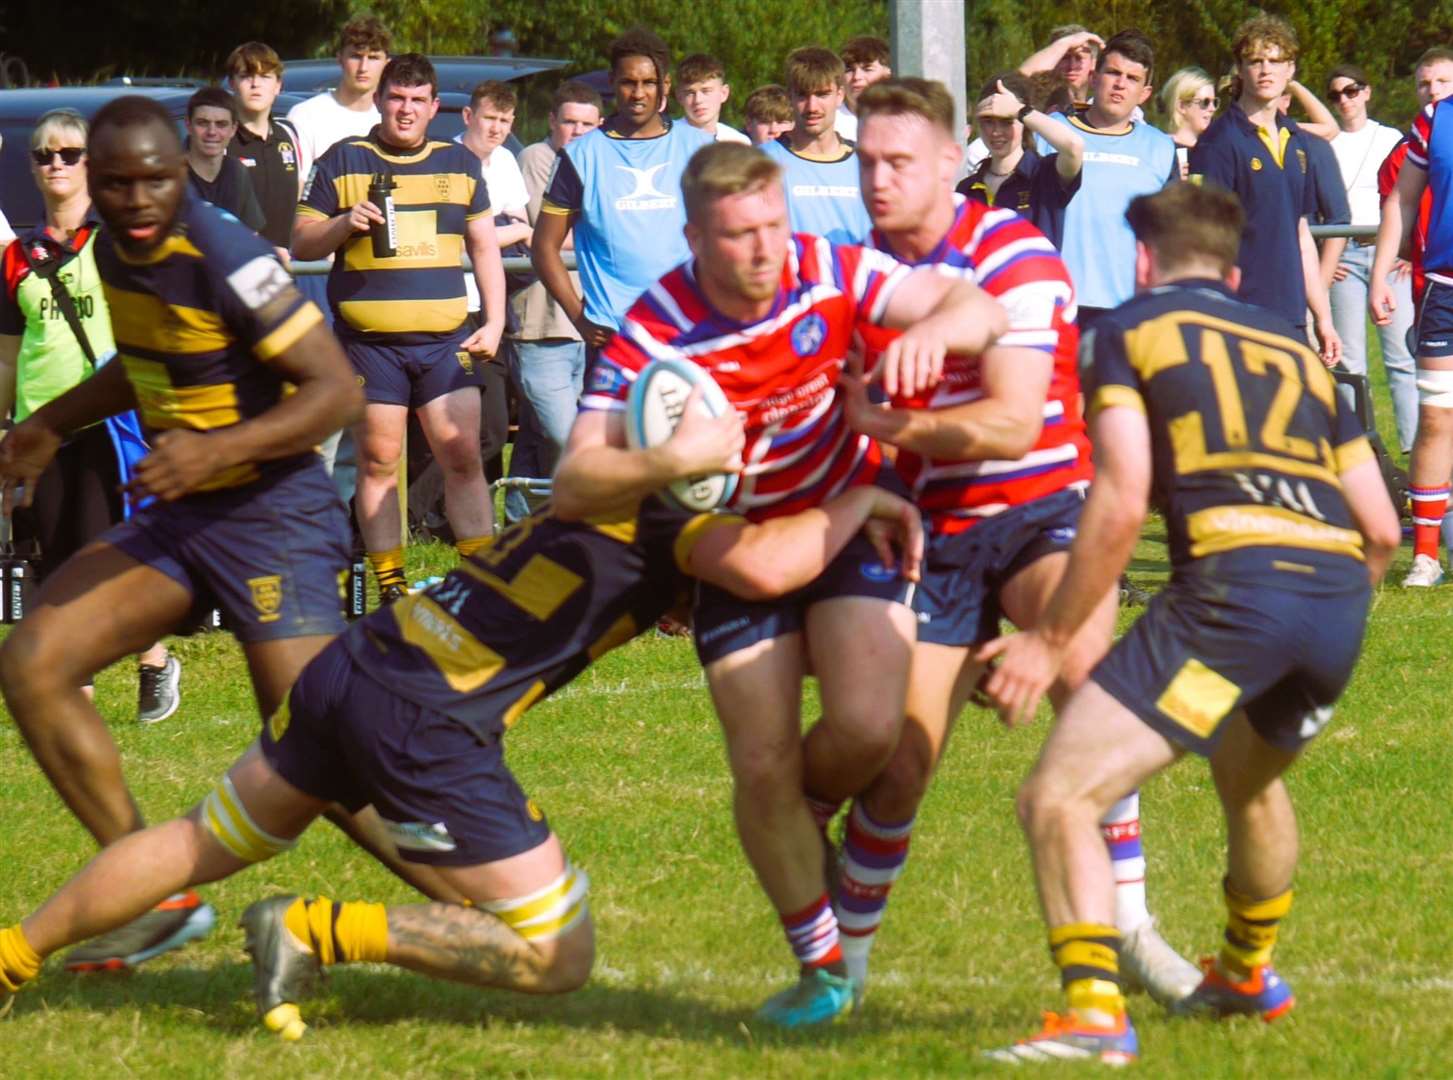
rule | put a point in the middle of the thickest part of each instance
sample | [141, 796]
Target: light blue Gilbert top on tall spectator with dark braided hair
[627, 194]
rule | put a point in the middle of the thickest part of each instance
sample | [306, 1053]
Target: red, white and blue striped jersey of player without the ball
[1013, 262]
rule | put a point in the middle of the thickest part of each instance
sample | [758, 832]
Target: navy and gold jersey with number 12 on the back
[1247, 432]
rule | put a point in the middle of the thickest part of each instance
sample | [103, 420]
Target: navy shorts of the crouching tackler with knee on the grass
[447, 799]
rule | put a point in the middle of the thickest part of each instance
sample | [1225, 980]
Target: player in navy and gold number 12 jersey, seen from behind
[1278, 523]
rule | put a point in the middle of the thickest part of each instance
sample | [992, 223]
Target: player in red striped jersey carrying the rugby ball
[772, 318]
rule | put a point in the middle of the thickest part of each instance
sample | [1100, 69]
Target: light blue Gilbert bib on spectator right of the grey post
[1098, 243]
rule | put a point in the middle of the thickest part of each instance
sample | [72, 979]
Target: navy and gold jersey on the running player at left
[197, 323]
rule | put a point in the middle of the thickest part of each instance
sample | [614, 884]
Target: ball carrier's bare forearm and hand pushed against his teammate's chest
[938, 316]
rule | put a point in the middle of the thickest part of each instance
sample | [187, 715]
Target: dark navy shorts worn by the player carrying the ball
[724, 624]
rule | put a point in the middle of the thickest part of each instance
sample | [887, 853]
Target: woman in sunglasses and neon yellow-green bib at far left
[41, 357]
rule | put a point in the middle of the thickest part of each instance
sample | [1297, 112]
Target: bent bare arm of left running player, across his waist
[328, 399]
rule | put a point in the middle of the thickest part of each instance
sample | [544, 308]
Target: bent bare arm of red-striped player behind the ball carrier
[1002, 425]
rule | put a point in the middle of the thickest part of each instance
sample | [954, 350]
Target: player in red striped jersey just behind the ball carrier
[997, 457]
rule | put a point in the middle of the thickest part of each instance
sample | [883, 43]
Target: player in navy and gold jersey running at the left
[210, 334]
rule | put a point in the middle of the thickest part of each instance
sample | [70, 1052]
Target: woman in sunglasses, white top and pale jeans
[1361, 148]
